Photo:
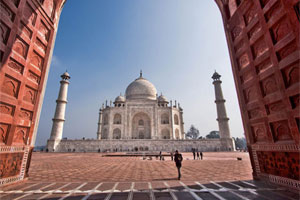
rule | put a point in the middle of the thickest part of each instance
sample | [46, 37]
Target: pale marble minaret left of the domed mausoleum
[59, 116]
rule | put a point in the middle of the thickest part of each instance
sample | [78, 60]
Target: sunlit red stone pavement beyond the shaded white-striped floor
[87, 167]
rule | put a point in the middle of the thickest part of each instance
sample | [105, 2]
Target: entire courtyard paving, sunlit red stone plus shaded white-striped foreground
[92, 176]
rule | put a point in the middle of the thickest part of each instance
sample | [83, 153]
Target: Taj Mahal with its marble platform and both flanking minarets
[139, 121]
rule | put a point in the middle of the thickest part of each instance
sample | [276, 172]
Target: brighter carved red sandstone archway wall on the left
[27, 35]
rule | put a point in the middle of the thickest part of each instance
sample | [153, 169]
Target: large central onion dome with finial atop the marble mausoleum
[141, 89]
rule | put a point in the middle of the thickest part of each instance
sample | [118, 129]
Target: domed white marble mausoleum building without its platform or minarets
[140, 114]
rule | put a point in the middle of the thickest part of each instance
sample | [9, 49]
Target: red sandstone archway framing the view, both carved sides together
[263, 41]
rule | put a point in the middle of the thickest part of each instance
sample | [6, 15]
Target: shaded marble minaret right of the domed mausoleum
[221, 111]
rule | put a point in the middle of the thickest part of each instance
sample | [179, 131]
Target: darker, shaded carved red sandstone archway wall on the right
[263, 41]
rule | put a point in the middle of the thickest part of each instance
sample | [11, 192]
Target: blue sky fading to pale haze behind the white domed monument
[103, 44]
